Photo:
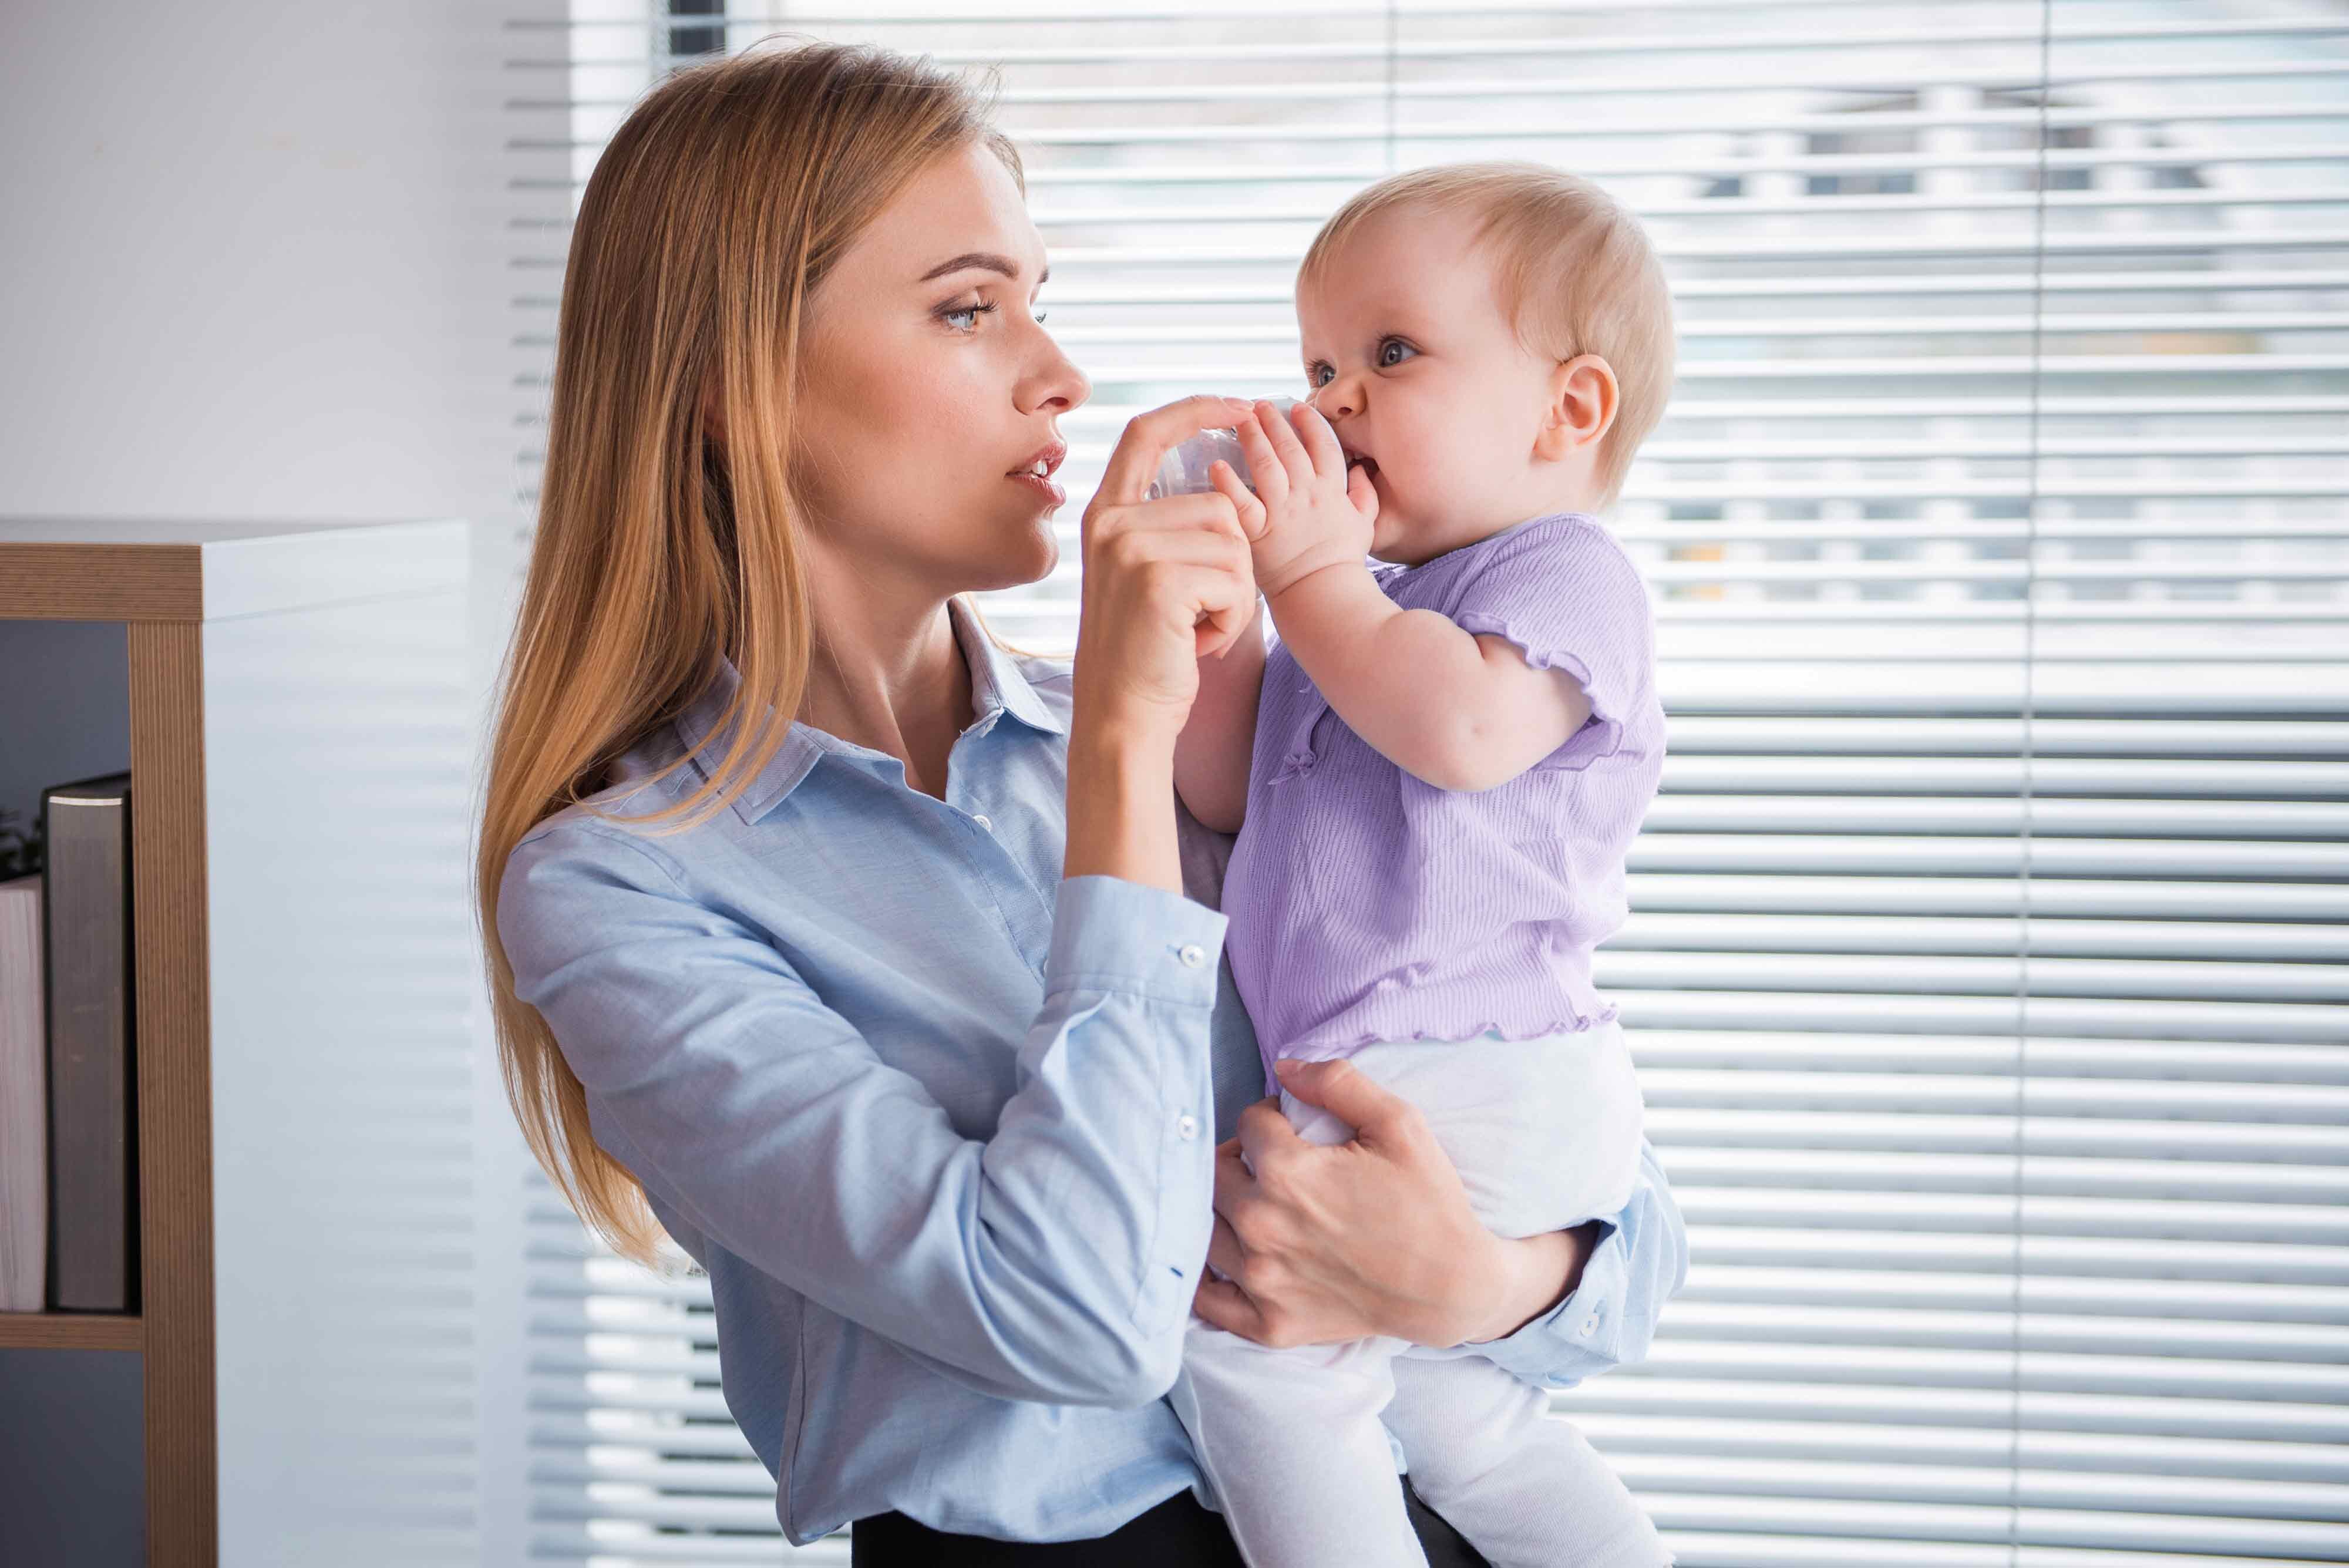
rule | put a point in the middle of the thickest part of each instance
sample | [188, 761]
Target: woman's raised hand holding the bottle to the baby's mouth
[1164, 581]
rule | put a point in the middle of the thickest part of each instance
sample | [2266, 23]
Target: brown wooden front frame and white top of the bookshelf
[166, 581]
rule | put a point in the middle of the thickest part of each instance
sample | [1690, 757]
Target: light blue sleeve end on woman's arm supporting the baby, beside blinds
[1610, 1318]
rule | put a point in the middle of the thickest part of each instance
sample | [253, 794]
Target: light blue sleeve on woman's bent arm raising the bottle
[1054, 1262]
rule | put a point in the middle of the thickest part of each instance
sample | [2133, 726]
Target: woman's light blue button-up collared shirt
[938, 1123]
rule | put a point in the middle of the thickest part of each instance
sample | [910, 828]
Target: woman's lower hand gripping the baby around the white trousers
[1347, 1241]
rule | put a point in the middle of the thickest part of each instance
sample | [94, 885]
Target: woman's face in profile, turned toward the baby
[929, 384]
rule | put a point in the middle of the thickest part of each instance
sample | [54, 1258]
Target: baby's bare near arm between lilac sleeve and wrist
[1451, 708]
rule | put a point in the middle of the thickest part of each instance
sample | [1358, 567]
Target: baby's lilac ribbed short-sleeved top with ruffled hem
[1371, 905]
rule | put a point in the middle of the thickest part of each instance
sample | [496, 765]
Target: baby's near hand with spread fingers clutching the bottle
[1307, 511]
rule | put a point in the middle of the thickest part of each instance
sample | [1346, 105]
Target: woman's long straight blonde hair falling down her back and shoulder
[715, 212]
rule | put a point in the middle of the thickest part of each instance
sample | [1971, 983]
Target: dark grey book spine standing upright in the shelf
[93, 1083]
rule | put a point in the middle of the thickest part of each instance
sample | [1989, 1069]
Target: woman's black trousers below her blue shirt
[1178, 1534]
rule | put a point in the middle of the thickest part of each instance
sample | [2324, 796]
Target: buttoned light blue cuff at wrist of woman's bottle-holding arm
[1117, 935]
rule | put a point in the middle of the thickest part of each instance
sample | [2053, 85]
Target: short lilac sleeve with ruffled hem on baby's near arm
[1570, 600]
